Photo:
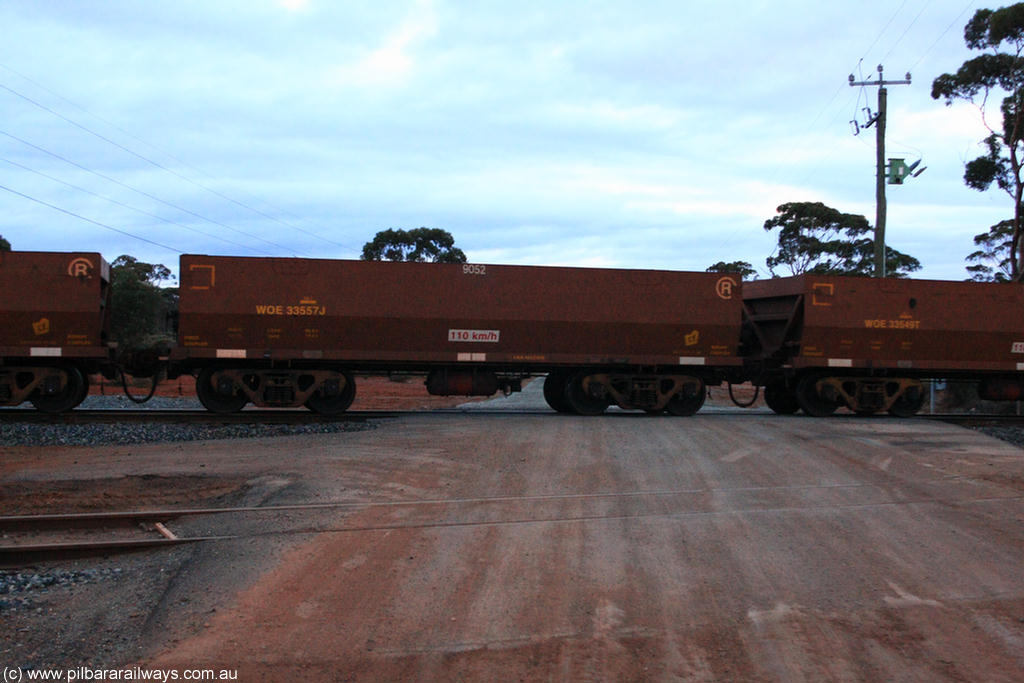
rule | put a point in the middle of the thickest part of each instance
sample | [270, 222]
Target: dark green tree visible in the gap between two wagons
[140, 307]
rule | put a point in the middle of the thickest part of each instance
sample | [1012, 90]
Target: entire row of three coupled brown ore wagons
[286, 332]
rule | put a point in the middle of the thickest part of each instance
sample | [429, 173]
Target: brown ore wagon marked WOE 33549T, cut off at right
[818, 343]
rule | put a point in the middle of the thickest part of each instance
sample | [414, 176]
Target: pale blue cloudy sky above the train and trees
[642, 135]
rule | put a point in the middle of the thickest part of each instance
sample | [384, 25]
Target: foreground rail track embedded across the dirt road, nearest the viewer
[31, 539]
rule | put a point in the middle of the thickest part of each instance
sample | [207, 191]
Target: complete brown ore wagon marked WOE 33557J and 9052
[294, 332]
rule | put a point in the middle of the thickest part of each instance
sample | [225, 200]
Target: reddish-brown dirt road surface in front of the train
[724, 547]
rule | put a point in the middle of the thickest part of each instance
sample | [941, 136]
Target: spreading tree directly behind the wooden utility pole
[816, 238]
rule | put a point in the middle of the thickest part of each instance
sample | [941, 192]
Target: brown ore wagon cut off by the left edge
[55, 314]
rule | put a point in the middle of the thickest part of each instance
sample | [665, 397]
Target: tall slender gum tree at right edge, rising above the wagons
[1001, 69]
